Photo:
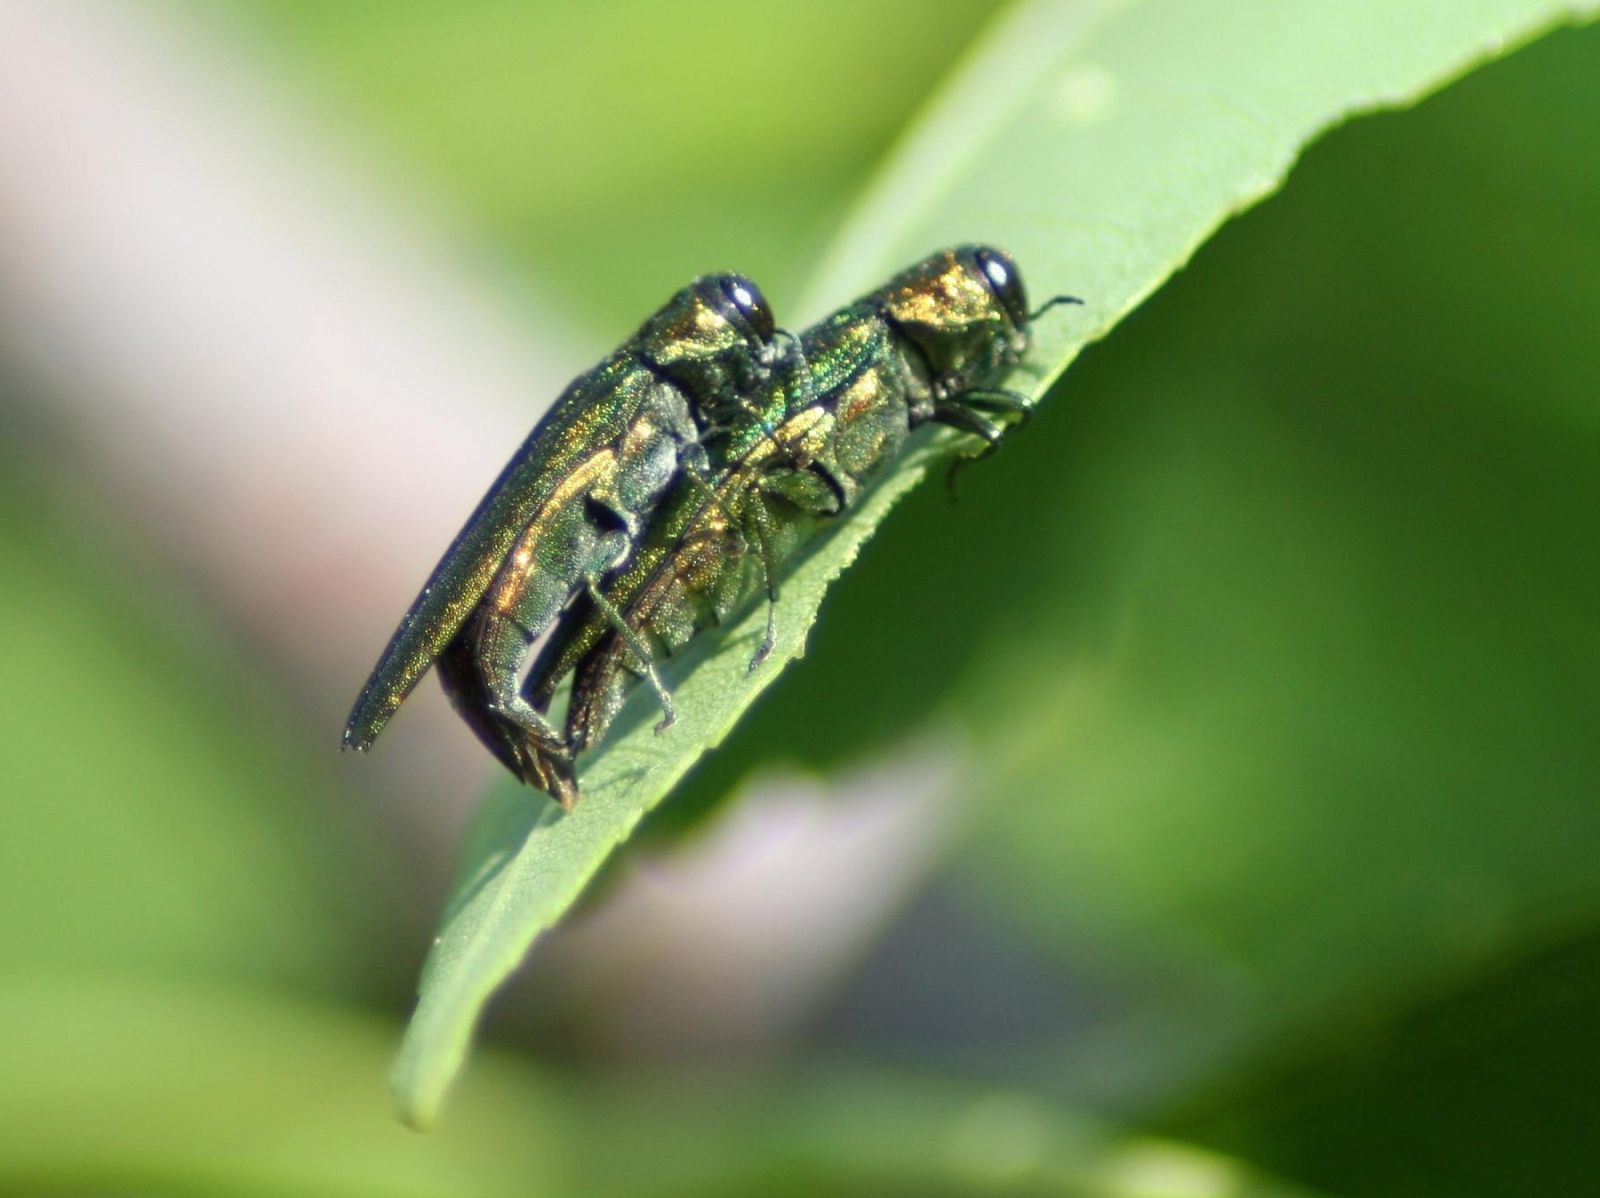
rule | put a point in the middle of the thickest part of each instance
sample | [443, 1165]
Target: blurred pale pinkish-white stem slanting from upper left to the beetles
[254, 348]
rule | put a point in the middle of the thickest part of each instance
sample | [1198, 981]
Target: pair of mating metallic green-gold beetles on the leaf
[706, 444]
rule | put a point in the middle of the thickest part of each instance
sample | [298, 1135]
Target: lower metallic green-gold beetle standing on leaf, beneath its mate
[929, 346]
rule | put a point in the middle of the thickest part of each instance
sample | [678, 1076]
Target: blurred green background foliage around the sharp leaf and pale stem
[1274, 642]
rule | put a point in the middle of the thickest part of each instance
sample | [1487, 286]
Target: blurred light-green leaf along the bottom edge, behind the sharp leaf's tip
[223, 1109]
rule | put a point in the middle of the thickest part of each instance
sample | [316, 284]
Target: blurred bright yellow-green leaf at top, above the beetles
[622, 148]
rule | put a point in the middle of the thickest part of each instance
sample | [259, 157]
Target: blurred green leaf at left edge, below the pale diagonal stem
[162, 812]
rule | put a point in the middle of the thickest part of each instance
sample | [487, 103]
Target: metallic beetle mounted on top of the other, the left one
[569, 508]
